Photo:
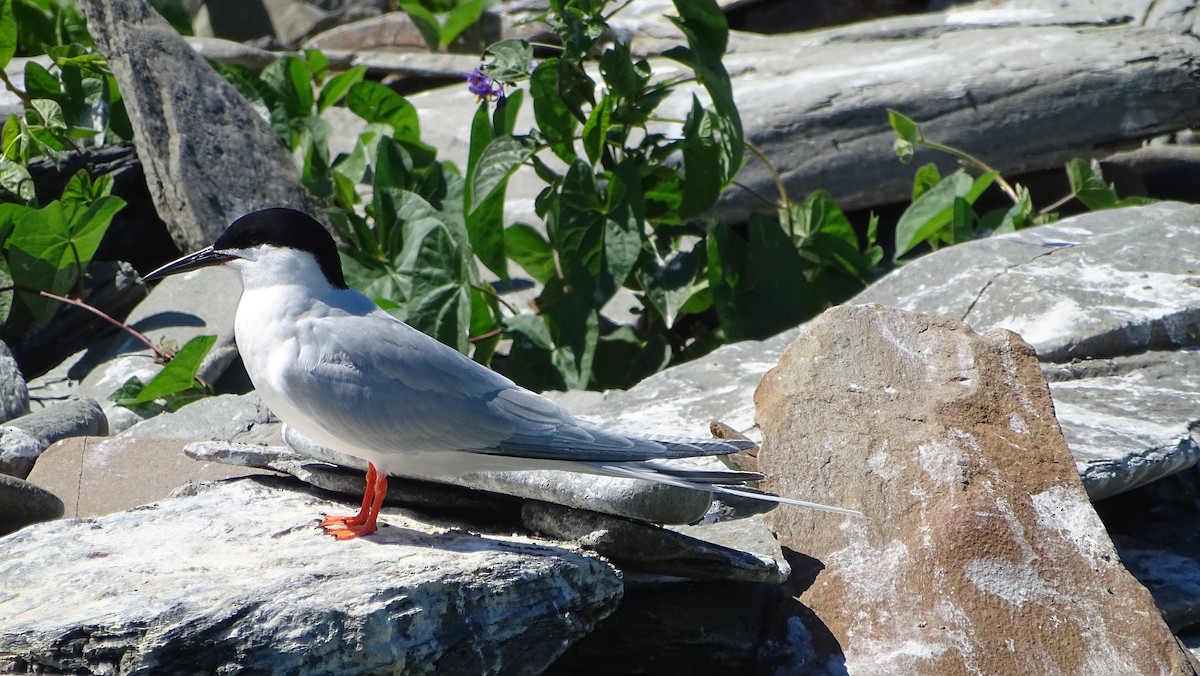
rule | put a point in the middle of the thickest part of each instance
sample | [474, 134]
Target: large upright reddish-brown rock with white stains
[974, 511]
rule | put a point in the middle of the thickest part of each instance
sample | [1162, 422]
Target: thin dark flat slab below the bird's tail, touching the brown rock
[645, 548]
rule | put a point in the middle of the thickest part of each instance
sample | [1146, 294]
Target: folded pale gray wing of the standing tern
[386, 386]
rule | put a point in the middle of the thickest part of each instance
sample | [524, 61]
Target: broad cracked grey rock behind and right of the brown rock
[1112, 303]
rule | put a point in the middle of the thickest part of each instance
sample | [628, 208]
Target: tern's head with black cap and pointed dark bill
[267, 244]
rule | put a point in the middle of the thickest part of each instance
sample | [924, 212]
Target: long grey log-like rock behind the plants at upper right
[973, 75]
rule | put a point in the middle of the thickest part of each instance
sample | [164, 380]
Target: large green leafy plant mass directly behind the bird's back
[623, 207]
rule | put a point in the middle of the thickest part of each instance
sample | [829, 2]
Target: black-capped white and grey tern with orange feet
[344, 373]
